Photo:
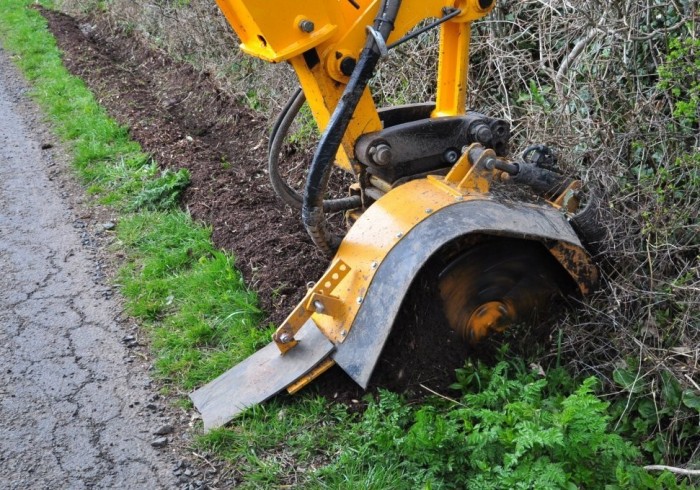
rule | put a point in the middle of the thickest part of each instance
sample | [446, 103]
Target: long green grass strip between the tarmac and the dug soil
[201, 316]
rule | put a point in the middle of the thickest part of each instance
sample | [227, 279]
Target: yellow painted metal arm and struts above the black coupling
[338, 31]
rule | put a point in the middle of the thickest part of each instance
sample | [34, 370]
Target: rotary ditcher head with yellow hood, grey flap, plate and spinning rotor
[347, 316]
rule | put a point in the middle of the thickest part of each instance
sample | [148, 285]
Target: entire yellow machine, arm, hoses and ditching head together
[425, 188]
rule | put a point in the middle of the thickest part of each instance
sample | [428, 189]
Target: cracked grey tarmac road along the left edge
[72, 405]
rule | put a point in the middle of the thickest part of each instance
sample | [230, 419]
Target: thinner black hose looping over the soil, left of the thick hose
[277, 137]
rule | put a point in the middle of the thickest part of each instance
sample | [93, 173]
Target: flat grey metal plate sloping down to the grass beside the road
[262, 375]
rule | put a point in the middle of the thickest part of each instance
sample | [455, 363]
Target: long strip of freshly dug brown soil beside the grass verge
[183, 120]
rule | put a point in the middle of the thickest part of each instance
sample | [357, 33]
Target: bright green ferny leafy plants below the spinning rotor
[511, 428]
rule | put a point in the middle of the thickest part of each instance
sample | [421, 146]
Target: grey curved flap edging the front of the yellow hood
[359, 353]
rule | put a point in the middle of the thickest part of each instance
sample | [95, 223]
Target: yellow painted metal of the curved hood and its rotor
[386, 222]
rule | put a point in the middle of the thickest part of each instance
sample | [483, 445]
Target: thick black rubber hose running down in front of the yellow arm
[319, 172]
